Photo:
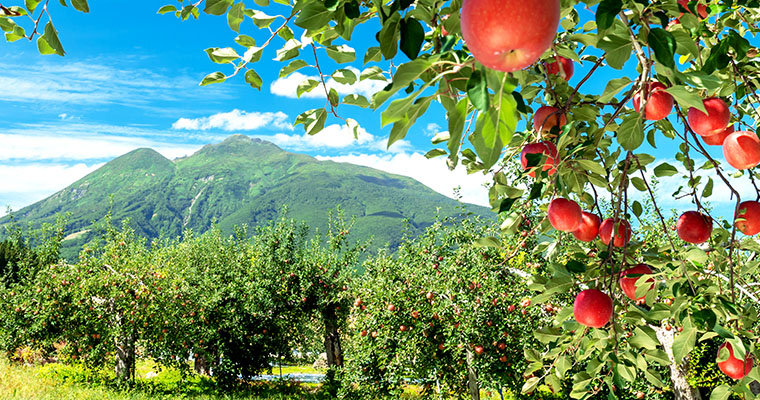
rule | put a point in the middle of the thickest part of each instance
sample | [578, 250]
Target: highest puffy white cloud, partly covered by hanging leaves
[287, 86]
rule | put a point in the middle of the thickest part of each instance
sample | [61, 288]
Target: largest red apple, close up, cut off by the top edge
[495, 31]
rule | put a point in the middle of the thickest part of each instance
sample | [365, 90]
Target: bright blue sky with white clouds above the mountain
[130, 79]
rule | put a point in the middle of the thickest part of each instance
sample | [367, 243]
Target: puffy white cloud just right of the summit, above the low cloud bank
[335, 137]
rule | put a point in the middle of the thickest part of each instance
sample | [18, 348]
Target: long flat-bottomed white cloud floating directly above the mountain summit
[236, 120]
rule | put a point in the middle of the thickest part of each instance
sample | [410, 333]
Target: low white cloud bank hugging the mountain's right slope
[431, 172]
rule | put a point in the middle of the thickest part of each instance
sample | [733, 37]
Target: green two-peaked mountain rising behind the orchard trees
[240, 181]
